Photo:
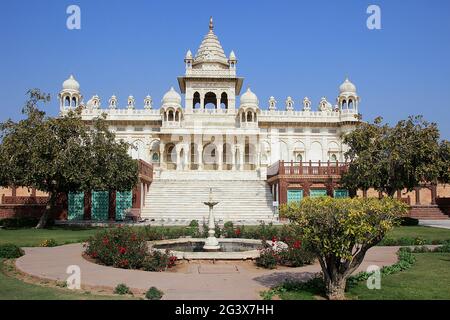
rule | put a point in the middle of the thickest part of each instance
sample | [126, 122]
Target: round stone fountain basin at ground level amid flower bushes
[192, 249]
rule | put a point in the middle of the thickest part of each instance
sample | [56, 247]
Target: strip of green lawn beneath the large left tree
[33, 237]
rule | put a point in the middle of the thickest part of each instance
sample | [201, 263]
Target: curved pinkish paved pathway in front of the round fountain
[220, 281]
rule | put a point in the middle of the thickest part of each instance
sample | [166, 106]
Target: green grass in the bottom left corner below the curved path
[15, 289]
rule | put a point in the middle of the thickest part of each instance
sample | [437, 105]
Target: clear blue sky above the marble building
[296, 48]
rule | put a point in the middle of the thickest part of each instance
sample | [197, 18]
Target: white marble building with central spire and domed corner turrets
[218, 133]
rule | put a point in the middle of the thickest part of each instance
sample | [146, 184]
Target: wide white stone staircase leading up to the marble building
[239, 200]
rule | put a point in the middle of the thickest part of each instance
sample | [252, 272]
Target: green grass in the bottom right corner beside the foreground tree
[428, 279]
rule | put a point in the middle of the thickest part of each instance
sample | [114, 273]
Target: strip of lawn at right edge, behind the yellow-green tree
[426, 233]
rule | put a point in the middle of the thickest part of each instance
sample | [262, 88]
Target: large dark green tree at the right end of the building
[389, 159]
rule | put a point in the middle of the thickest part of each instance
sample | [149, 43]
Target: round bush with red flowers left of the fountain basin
[119, 247]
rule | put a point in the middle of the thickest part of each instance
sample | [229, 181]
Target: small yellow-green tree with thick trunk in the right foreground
[340, 231]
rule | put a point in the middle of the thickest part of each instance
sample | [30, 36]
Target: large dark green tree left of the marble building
[62, 154]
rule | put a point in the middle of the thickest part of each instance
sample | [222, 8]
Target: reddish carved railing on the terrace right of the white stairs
[307, 168]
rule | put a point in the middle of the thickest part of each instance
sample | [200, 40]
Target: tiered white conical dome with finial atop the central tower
[210, 49]
